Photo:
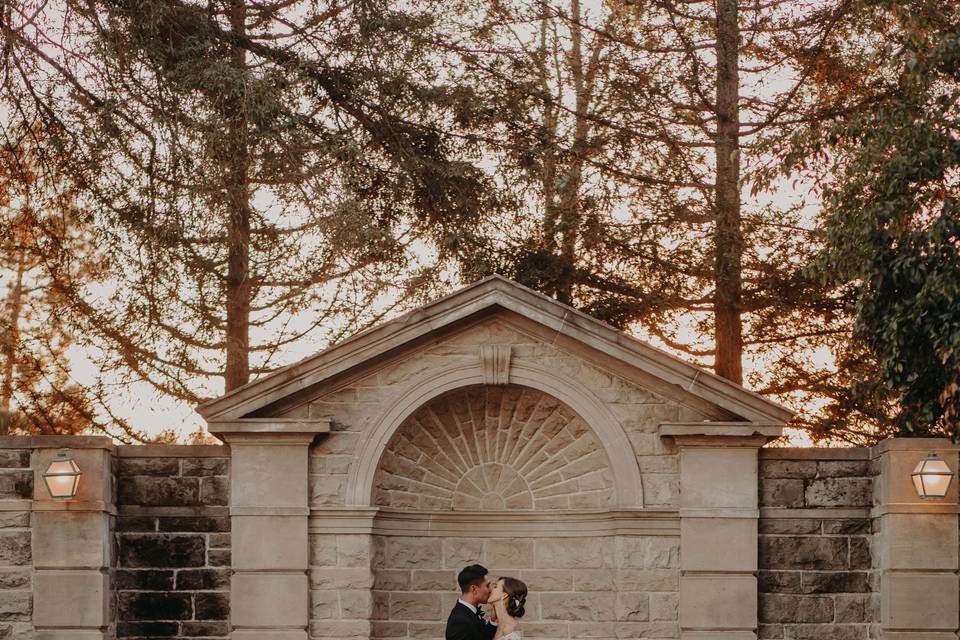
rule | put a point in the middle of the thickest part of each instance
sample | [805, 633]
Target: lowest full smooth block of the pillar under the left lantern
[71, 599]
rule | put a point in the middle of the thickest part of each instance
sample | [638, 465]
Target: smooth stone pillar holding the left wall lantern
[71, 544]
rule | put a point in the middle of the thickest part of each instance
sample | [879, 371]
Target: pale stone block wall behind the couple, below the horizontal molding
[599, 587]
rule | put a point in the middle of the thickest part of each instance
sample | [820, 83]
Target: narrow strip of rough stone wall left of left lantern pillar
[16, 492]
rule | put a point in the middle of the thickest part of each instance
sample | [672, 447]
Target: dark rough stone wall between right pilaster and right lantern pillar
[816, 577]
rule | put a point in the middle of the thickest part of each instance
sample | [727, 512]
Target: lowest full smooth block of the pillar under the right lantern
[919, 601]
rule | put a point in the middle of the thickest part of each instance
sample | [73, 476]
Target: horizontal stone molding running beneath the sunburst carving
[510, 524]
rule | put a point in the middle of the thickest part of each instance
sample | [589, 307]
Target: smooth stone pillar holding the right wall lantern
[916, 547]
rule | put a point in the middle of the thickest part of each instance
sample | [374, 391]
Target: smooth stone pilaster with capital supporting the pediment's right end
[718, 527]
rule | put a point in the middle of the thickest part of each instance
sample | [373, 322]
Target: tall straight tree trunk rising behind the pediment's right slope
[728, 239]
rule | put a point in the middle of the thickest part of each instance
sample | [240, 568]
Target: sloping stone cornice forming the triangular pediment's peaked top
[494, 295]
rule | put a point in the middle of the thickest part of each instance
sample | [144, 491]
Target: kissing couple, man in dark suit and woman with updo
[506, 598]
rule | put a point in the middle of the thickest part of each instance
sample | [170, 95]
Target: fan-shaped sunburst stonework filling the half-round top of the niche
[492, 449]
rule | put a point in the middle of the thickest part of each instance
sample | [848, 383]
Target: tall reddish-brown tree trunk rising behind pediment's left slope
[237, 371]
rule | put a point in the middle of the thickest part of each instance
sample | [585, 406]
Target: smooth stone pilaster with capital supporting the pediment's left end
[269, 508]
